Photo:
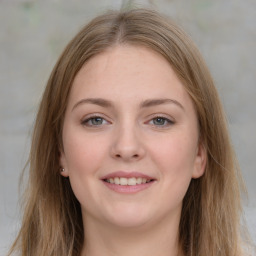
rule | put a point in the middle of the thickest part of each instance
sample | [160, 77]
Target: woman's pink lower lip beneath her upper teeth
[127, 189]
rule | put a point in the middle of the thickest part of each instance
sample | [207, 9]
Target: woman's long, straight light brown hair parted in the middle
[52, 222]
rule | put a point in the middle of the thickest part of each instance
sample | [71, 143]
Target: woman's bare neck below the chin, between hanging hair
[160, 239]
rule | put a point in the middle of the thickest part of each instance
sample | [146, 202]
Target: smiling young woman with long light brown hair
[131, 153]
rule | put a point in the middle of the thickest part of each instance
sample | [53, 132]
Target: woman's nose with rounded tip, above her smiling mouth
[127, 145]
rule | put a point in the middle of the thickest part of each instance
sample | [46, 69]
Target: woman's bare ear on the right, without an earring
[200, 161]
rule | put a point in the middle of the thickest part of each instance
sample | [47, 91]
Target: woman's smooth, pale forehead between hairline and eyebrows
[126, 73]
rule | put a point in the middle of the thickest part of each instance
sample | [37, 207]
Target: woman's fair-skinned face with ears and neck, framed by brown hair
[129, 119]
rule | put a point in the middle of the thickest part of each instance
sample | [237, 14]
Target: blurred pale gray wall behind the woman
[33, 34]
